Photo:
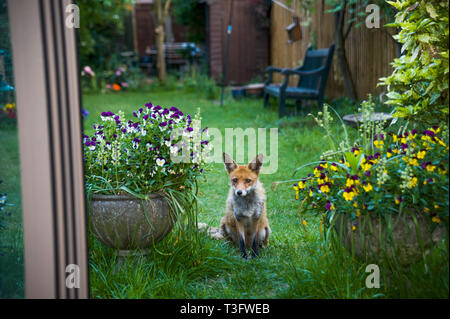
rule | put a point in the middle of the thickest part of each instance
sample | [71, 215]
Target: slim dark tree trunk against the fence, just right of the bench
[339, 41]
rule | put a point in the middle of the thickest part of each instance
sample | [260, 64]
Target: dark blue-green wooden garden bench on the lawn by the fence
[312, 81]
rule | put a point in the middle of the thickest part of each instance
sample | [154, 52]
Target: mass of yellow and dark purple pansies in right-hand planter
[402, 165]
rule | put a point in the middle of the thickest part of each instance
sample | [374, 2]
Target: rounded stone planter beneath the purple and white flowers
[130, 224]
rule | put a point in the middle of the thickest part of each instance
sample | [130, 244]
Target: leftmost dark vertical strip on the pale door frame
[51, 148]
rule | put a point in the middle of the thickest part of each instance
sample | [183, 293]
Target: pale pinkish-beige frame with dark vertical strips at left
[48, 100]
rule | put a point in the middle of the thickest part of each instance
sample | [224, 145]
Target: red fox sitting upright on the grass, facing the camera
[245, 221]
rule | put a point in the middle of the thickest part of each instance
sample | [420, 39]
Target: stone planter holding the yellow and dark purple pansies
[378, 237]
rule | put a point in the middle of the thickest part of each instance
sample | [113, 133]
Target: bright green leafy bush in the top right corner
[418, 87]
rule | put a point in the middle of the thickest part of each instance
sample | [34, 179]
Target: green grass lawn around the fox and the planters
[296, 264]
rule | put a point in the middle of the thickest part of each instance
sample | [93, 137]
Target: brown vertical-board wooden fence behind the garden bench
[369, 51]
